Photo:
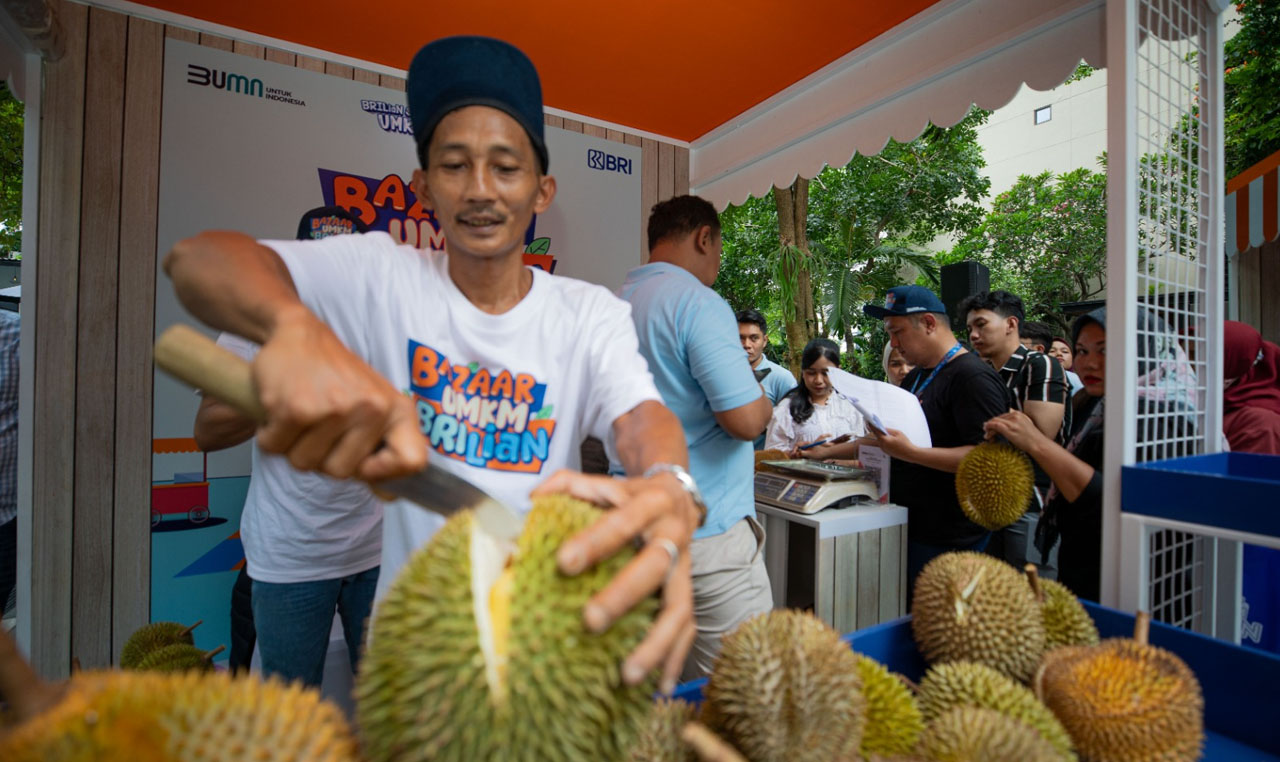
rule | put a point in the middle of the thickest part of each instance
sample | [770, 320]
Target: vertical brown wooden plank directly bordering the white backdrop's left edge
[140, 180]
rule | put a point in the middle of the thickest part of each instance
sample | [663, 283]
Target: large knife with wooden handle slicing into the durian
[193, 358]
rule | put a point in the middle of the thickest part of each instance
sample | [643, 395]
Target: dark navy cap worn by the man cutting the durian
[467, 71]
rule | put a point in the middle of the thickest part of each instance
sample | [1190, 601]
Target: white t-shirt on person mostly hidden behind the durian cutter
[301, 527]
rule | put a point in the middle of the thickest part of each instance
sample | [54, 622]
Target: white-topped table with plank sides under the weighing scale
[848, 564]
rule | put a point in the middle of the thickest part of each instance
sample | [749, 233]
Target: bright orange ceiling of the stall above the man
[673, 69]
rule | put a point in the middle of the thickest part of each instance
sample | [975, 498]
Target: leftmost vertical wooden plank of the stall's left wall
[62, 133]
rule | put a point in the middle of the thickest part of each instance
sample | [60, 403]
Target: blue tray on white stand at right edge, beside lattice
[1237, 491]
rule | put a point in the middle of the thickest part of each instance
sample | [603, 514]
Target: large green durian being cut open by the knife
[479, 651]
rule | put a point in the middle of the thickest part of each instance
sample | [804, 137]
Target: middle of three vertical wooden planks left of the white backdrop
[95, 348]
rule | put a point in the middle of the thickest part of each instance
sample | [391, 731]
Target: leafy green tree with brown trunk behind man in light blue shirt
[852, 232]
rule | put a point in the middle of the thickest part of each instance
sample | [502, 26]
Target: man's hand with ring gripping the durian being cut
[653, 510]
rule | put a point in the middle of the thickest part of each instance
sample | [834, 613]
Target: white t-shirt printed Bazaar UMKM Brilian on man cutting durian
[524, 389]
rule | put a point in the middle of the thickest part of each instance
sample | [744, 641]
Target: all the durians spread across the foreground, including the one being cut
[478, 654]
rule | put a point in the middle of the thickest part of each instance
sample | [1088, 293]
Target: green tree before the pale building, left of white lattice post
[1045, 240]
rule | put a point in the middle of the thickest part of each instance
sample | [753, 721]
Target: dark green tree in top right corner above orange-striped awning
[1251, 86]
